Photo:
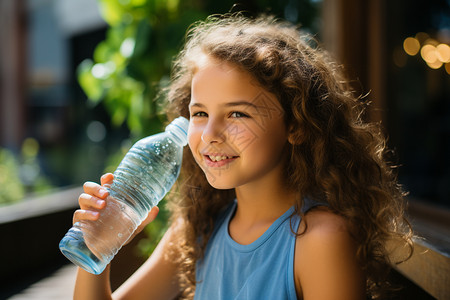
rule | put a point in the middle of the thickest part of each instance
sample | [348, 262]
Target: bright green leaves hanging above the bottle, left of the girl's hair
[131, 65]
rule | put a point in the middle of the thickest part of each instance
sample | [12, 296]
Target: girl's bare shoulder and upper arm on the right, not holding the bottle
[325, 263]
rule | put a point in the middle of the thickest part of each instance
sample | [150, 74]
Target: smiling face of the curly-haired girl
[236, 131]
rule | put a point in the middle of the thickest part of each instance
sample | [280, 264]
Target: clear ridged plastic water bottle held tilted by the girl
[145, 175]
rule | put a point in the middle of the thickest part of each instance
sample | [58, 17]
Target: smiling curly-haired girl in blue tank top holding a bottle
[285, 193]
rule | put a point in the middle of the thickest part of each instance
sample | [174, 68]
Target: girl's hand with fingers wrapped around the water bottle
[94, 198]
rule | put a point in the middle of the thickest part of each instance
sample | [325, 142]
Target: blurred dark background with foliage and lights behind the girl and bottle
[79, 84]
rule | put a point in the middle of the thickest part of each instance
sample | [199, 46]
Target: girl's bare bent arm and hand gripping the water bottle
[154, 280]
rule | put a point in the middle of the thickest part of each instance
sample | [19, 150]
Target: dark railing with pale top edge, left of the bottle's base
[30, 232]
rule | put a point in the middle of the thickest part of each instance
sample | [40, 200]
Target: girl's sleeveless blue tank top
[263, 269]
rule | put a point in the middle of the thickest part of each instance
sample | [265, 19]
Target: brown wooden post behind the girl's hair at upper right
[353, 32]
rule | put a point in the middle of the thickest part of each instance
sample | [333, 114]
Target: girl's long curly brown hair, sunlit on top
[334, 155]
